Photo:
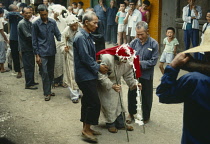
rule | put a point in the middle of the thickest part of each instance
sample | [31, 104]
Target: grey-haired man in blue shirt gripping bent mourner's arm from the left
[86, 74]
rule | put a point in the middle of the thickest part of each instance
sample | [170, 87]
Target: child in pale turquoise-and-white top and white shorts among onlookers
[121, 26]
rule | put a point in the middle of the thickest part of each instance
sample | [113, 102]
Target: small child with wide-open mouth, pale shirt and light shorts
[170, 47]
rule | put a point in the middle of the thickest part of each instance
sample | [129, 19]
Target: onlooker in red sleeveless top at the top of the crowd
[144, 11]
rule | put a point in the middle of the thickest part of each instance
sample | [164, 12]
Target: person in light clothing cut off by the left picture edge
[3, 39]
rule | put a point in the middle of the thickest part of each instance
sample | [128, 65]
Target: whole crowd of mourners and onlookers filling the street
[64, 42]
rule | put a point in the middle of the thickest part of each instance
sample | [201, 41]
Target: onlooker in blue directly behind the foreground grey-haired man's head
[100, 10]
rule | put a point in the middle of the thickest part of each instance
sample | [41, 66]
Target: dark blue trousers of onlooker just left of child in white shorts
[111, 33]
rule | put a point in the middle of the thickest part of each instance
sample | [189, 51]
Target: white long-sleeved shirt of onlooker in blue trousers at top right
[187, 19]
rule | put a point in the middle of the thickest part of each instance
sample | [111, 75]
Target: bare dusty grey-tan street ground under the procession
[25, 118]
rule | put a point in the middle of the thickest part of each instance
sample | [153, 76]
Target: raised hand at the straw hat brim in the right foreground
[180, 60]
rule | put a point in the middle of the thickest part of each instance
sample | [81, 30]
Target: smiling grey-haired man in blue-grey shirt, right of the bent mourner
[147, 49]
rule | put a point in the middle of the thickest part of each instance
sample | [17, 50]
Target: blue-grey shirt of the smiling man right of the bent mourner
[148, 54]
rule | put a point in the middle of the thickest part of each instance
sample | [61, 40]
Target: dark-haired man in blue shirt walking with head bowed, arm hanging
[43, 31]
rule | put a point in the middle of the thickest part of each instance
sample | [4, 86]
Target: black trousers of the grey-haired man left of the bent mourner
[90, 109]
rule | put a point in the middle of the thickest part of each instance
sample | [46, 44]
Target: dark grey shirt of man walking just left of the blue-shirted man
[24, 35]
